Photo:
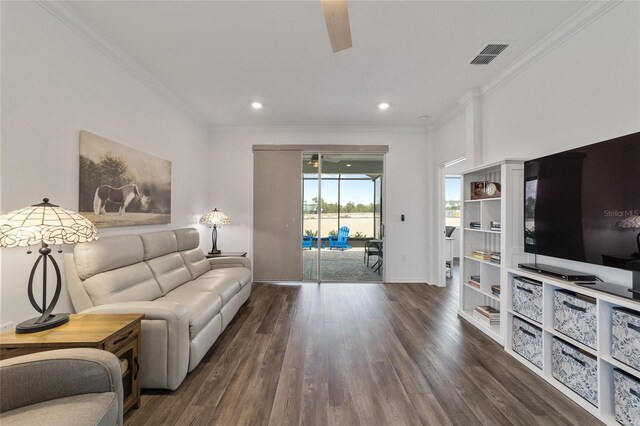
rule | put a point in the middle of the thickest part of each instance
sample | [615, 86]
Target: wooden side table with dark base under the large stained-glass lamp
[115, 333]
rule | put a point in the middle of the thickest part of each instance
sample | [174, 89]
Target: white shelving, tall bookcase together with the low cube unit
[508, 210]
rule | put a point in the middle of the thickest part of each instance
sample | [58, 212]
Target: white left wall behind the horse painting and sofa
[54, 83]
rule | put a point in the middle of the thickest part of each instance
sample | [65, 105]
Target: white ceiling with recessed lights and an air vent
[219, 56]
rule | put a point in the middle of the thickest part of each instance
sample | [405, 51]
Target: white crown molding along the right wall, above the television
[563, 32]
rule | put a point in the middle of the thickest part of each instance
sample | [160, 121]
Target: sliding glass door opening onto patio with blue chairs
[342, 218]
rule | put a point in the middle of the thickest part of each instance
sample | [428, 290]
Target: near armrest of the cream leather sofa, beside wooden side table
[171, 316]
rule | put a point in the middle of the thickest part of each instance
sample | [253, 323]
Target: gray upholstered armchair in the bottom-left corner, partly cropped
[62, 387]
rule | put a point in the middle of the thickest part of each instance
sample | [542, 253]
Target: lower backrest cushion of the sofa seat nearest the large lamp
[127, 284]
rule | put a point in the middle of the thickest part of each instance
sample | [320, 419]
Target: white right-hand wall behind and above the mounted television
[584, 91]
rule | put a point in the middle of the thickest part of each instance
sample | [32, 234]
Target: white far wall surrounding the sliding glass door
[406, 189]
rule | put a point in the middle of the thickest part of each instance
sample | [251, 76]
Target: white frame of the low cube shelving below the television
[606, 363]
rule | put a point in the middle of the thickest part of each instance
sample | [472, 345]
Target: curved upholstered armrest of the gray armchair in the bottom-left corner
[44, 376]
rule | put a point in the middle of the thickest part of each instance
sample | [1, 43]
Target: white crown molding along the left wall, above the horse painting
[72, 19]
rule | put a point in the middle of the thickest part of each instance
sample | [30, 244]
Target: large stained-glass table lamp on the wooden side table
[45, 224]
